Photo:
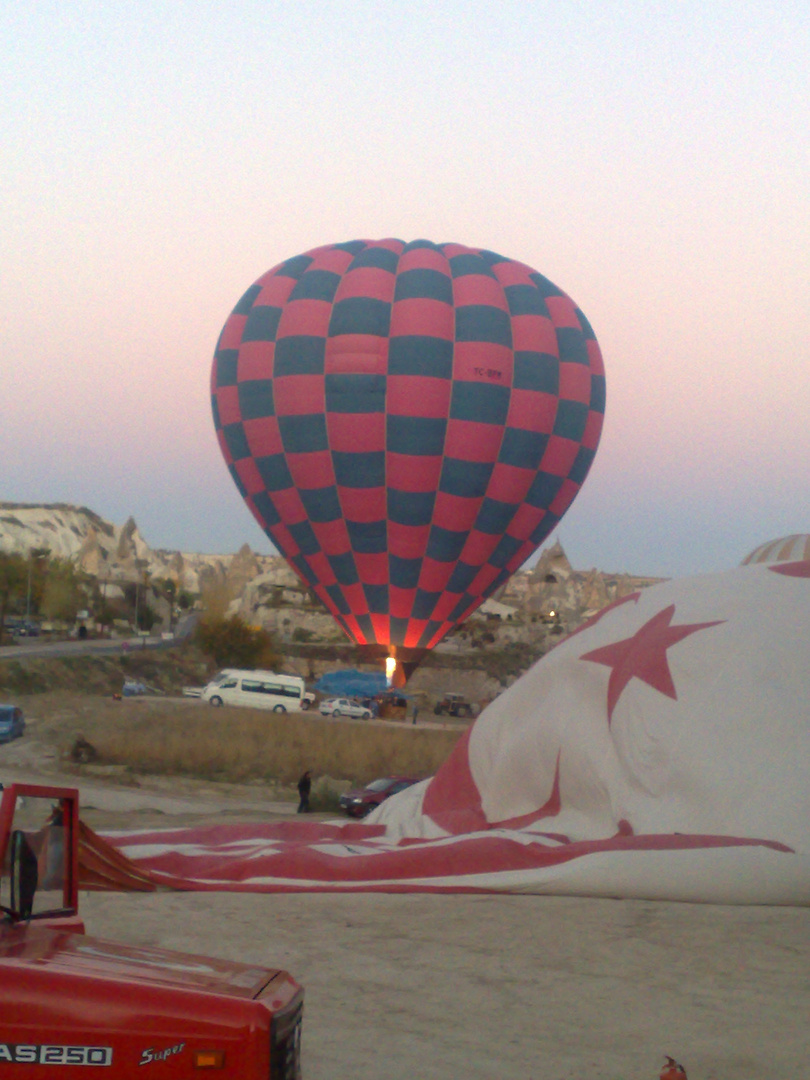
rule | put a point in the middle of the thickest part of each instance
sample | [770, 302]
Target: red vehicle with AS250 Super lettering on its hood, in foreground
[78, 1002]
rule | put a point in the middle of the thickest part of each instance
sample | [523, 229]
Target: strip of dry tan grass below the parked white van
[186, 738]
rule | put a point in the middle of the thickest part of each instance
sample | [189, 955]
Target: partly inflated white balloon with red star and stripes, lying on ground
[660, 752]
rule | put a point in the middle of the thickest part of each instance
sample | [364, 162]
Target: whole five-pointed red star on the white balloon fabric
[644, 656]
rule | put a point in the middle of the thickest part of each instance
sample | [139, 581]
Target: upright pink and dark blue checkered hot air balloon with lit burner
[408, 423]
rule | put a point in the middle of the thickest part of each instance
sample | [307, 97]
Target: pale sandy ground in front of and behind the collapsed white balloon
[496, 988]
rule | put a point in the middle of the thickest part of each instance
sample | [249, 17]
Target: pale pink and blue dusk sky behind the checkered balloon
[651, 158]
